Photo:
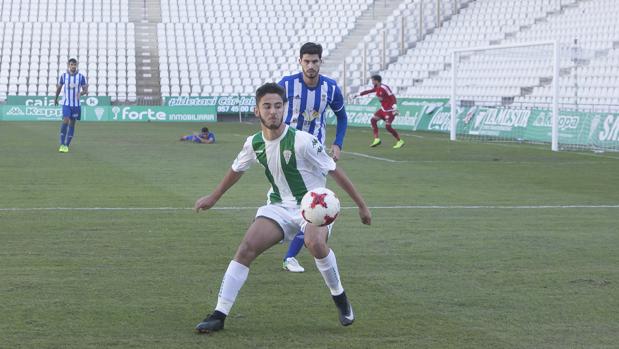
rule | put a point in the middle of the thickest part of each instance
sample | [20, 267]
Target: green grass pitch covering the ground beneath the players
[461, 252]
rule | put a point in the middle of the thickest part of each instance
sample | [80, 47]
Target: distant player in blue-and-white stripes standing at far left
[73, 84]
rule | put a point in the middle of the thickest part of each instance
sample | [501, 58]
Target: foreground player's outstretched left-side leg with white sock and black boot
[262, 234]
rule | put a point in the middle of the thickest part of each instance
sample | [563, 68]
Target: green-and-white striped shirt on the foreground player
[293, 163]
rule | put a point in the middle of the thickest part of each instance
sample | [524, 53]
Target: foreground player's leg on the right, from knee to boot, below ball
[316, 242]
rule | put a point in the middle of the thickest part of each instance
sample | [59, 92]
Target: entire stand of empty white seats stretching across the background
[213, 47]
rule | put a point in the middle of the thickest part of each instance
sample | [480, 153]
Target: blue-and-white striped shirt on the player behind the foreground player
[306, 106]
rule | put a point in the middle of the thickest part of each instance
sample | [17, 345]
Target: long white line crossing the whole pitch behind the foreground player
[239, 208]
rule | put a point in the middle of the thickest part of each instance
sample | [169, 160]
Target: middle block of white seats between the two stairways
[215, 47]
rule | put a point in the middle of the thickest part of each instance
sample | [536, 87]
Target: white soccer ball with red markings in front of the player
[320, 206]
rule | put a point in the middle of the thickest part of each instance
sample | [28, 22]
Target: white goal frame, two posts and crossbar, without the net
[555, 83]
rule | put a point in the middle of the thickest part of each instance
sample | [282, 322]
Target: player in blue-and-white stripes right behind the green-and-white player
[309, 93]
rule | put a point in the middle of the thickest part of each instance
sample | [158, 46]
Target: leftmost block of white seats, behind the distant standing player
[37, 41]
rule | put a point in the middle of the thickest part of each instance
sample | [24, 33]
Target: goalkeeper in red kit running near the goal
[387, 112]
